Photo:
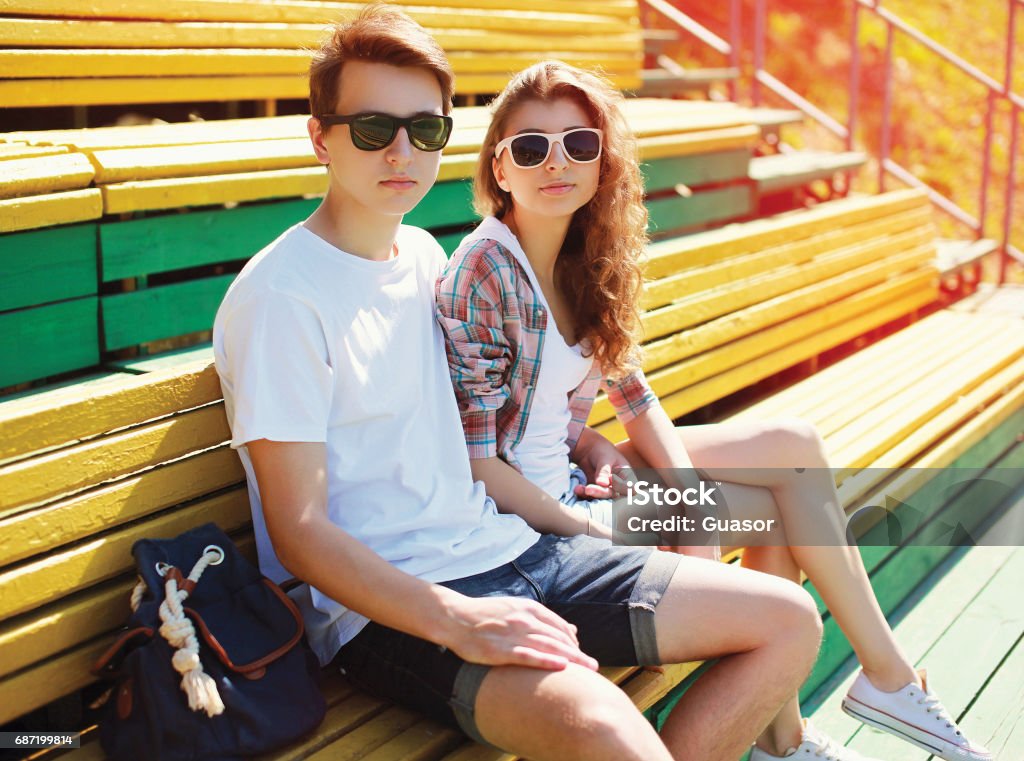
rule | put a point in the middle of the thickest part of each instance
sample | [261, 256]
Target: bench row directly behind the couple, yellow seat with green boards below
[142, 272]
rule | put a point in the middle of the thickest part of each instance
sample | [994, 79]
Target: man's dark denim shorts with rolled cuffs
[609, 593]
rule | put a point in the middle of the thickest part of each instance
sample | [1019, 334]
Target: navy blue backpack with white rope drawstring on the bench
[212, 664]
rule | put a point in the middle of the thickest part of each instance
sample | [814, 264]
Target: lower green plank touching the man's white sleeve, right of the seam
[163, 312]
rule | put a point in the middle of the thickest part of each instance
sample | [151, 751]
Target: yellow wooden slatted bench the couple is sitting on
[90, 470]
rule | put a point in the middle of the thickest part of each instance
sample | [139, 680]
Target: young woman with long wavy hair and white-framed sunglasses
[539, 307]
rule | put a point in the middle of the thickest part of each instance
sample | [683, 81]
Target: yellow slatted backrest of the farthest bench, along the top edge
[64, 53]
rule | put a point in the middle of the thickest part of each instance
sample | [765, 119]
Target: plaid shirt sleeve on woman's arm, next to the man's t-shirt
[470, 310]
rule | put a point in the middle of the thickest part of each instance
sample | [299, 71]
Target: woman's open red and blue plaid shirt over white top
[494, 326]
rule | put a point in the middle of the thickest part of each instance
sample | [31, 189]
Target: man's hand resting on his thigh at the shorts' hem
[511, 631]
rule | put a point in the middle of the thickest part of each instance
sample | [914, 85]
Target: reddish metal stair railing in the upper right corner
[998, 93]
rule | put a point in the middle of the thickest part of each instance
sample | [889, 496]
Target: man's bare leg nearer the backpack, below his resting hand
[564, 715]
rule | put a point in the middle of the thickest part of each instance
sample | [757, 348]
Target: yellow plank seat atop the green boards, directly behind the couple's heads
[157, 167]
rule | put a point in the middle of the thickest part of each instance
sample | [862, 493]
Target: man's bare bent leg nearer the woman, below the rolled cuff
[765, 632]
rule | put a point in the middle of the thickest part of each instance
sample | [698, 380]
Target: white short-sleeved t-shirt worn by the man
[316, 345]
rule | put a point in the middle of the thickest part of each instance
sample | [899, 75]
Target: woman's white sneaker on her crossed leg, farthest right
[915, 715]
